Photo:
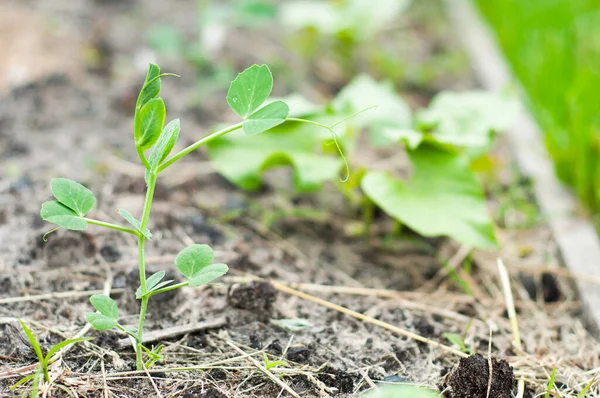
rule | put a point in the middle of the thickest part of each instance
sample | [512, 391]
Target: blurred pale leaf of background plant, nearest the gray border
[467, 119]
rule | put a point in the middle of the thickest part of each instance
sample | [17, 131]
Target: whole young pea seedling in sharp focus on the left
[246, 97]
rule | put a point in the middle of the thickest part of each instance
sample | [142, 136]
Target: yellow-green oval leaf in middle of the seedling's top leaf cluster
[149, 123]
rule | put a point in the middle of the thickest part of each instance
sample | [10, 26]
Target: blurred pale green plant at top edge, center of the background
[344, 30]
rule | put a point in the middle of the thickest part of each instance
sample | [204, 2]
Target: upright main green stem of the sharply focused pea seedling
[142, 267]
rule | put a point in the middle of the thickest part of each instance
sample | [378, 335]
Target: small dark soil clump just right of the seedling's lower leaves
[257, 297]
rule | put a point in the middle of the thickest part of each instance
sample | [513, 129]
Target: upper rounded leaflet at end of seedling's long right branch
[249, 90]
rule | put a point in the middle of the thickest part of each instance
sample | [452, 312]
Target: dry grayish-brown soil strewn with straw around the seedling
[76, 122]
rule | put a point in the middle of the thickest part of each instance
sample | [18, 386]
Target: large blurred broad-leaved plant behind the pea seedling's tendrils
[442, 197]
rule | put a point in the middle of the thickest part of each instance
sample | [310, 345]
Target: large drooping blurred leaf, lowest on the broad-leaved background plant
[443, 197]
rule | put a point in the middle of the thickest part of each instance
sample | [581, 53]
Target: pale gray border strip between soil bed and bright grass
[576, 237]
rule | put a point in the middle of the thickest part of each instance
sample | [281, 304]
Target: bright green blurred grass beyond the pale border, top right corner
[553, 48]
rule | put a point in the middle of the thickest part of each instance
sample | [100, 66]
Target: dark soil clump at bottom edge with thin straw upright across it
[471, 377]
